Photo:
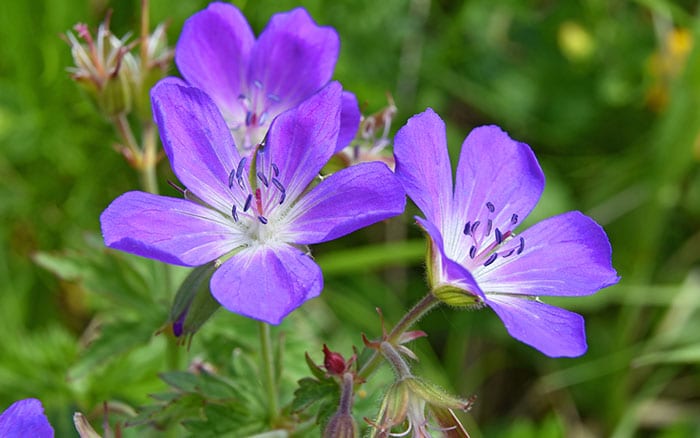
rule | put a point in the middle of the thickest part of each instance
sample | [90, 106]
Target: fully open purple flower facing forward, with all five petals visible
[256, 213]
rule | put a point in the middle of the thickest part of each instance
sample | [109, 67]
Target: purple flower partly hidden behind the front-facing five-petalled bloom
[252, 81]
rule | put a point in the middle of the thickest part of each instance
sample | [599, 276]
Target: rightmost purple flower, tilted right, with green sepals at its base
[477, 256]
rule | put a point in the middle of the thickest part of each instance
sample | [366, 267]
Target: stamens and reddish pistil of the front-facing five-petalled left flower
[262, 189]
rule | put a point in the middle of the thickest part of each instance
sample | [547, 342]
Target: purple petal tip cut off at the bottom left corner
[25, 418]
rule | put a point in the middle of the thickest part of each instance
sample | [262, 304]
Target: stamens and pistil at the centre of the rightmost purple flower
[488, 242]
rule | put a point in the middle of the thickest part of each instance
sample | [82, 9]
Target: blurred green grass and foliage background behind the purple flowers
[606, 92]
